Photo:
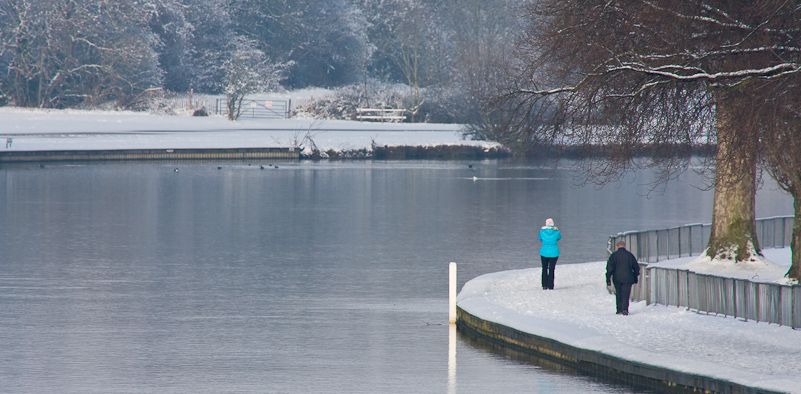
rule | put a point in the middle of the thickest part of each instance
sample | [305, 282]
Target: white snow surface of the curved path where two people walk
[581, 313]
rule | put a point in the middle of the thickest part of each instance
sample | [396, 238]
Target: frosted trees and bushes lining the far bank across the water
[131, 54]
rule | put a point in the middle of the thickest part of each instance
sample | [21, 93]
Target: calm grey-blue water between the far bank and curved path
[308, 278]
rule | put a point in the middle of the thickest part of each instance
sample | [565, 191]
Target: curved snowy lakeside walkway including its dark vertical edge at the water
[576, 324]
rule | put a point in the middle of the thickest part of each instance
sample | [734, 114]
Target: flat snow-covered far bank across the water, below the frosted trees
[95, 130]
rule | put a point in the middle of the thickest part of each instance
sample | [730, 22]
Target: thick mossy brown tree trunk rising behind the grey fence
[733, 233]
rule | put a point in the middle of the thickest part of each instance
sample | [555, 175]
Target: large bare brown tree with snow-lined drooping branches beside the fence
[668, 74]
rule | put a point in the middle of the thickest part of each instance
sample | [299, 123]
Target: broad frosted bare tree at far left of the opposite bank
[76, 52]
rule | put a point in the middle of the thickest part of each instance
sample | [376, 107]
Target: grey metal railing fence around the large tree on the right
[740, 298]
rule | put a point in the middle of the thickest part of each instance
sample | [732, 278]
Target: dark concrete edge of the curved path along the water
[596, 362]
